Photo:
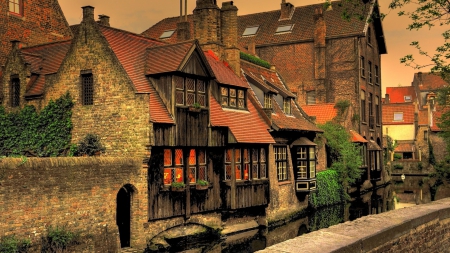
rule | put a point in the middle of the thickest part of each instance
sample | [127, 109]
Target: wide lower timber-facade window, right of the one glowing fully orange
[249, 163]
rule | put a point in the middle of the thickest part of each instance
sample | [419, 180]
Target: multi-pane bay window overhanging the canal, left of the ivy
[305, 161]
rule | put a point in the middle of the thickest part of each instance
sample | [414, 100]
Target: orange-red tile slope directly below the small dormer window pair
[246, 126]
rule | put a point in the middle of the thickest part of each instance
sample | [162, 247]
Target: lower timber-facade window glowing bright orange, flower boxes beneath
[174, 165]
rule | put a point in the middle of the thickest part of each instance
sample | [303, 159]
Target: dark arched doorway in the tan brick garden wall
[123, 215]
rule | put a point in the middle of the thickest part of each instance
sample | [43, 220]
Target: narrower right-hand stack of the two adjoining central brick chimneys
[229, 34]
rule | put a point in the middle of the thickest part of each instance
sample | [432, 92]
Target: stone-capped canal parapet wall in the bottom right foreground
[422, 228]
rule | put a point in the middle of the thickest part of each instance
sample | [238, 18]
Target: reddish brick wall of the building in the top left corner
[41, 21]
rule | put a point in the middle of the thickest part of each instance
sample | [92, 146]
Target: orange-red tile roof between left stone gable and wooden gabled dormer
[133, 62]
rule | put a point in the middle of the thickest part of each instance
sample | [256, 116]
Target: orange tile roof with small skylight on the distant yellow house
[406, 108]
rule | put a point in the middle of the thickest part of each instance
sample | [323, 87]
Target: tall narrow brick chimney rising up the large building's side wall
[320, 31]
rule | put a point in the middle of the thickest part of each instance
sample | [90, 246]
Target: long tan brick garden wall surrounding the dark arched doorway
[78, 193]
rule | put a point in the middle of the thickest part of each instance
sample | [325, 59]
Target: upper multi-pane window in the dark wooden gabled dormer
[190, 91]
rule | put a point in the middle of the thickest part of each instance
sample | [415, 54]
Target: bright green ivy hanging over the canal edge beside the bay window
[329, 190]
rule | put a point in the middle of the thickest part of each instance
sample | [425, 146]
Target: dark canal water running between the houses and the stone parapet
[413, 190]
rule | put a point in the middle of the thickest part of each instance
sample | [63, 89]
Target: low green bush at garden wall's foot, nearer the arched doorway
[58, 239]
